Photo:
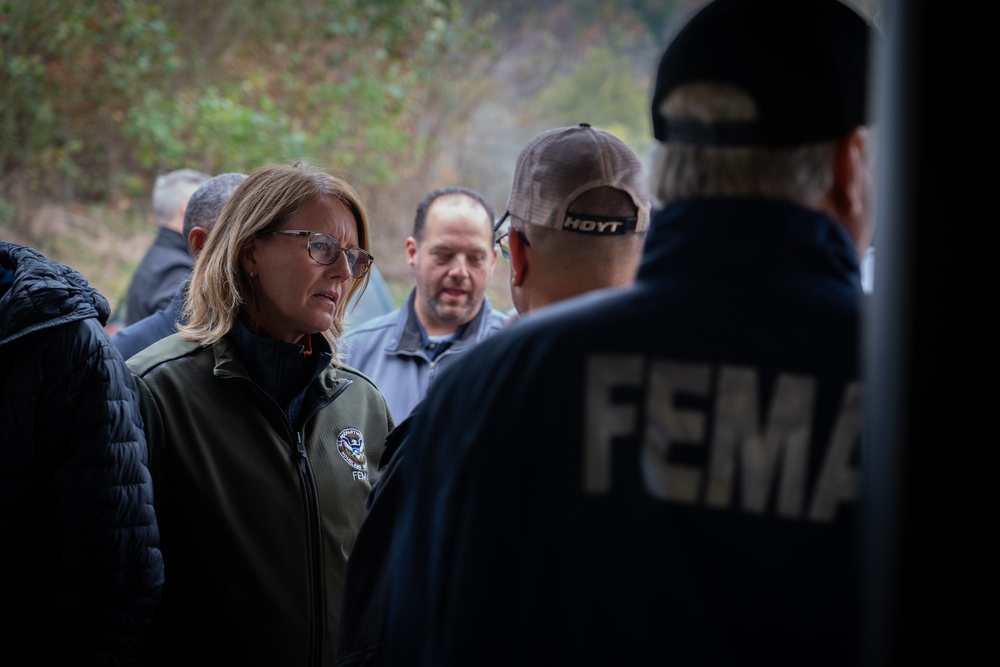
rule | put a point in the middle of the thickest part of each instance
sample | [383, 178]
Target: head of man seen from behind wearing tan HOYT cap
[576, 218]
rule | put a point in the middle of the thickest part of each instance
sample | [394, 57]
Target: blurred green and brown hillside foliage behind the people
[397, 96]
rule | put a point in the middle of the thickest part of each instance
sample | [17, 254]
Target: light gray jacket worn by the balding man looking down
[390, 350]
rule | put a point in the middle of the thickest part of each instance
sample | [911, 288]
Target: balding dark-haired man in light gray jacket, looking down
[452, 255]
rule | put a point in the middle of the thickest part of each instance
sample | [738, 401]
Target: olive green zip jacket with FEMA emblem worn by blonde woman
[256, 520]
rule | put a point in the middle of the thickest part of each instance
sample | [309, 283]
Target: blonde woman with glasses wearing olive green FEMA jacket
[260, 438]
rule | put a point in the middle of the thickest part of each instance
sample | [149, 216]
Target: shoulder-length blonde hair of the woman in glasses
[220, 290]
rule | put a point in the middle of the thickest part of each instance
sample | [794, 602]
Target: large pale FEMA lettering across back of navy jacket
[771, 459]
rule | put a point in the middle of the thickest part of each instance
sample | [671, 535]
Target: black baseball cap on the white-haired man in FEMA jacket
[804, 62]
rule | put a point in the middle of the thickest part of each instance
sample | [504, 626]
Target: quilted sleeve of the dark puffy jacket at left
[109, 566]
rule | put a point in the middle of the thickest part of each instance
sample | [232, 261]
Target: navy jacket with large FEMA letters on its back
[664, 475]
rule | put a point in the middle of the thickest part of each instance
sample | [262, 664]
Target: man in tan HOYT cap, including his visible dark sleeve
[580, 195]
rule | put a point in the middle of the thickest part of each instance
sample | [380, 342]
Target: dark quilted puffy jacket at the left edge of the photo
[80, 565]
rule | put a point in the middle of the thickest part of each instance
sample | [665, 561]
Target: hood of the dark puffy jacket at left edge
[40, 293]
